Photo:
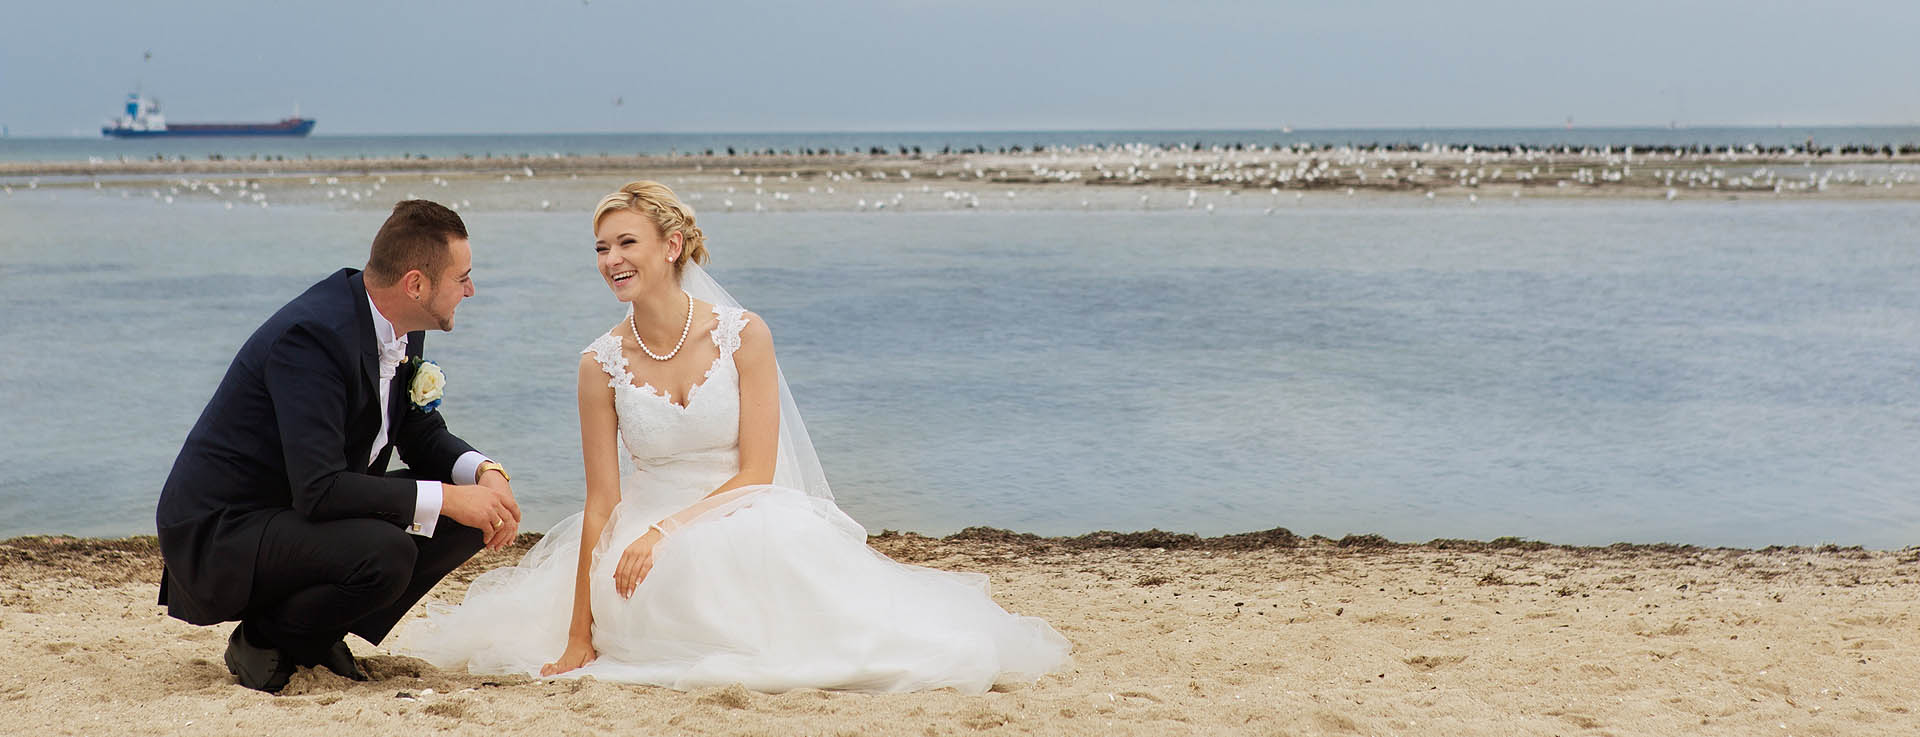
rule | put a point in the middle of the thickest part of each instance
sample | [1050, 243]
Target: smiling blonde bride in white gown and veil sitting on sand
[721, 558]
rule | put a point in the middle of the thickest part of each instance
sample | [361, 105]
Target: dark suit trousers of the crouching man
[318, 582]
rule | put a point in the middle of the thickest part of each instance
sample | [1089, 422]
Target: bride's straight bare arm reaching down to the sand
[600, 450]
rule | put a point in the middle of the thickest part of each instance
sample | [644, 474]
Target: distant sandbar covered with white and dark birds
[1099, 179]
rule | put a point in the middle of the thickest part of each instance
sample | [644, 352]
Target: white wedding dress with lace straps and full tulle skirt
[775, 590]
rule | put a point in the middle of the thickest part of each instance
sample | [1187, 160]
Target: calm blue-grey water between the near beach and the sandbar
[1721, 373]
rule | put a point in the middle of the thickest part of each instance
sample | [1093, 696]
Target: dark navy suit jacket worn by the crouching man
[289, 431]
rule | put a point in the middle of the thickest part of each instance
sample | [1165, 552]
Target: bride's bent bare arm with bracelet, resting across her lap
[759, 448]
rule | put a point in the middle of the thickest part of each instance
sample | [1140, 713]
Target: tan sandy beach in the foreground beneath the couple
[1262, 634]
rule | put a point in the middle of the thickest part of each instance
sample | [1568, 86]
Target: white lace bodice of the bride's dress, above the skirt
[665, 437]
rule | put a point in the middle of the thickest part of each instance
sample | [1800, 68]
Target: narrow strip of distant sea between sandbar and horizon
[665, 143]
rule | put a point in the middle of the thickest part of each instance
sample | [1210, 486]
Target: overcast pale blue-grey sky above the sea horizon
[560, 66]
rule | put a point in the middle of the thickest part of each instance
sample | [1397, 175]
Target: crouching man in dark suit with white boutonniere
[279, 510]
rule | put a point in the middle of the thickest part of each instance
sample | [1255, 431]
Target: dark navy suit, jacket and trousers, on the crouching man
[274, 515]
